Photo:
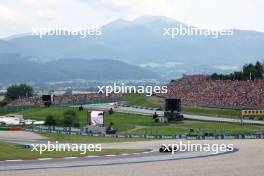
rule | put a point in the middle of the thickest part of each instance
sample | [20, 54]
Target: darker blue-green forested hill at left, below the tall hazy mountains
[17, 69]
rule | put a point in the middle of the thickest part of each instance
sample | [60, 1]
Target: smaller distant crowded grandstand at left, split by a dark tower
[66, 99]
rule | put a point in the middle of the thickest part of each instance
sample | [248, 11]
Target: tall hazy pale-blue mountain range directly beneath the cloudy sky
[141, 42]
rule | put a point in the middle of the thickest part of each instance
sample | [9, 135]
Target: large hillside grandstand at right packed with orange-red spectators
[197, 90]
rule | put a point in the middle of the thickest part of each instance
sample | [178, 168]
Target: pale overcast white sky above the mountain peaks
[18, 16]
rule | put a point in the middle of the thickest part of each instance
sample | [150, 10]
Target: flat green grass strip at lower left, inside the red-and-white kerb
[9, 151]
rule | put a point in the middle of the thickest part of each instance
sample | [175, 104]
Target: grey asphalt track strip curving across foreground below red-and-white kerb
[100, 161]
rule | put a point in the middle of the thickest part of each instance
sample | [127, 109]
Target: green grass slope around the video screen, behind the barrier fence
[137, 124]
